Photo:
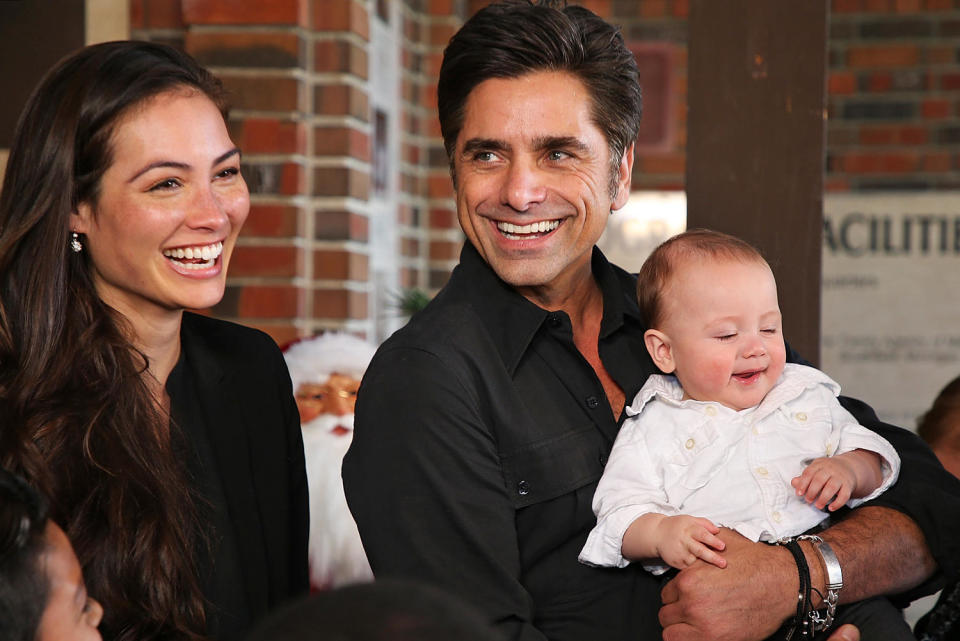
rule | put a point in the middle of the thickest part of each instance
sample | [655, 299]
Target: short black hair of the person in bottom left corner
[24, 586]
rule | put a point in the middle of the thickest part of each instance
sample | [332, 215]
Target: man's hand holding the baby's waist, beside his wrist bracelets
[746, 601]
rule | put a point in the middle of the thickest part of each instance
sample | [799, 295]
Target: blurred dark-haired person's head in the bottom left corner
[42, 596]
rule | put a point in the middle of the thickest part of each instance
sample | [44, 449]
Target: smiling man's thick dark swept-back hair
[514, 38]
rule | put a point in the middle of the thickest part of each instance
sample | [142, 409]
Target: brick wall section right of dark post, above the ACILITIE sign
[894, 83]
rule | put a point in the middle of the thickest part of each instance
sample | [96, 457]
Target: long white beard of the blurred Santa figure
[336, 553]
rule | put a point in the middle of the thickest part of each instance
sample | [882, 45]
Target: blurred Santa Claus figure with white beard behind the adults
[326, 372]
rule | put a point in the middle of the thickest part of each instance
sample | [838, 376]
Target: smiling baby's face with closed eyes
[723, 324]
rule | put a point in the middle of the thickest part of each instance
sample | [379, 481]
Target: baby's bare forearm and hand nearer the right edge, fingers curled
[831, 482]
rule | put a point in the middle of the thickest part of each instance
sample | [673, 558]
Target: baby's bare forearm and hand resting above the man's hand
[678, 540]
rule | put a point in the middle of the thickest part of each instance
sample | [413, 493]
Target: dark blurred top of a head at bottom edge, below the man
[385, 610]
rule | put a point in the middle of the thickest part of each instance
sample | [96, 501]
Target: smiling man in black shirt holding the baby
[483, 425]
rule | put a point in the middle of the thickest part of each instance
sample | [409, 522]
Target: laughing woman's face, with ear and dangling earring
[169, 209]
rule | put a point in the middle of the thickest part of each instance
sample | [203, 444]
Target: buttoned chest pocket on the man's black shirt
[551, 467]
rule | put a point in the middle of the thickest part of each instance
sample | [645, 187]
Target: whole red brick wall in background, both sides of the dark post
[300, 73]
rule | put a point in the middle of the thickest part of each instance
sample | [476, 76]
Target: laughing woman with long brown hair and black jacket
[168, 442]
